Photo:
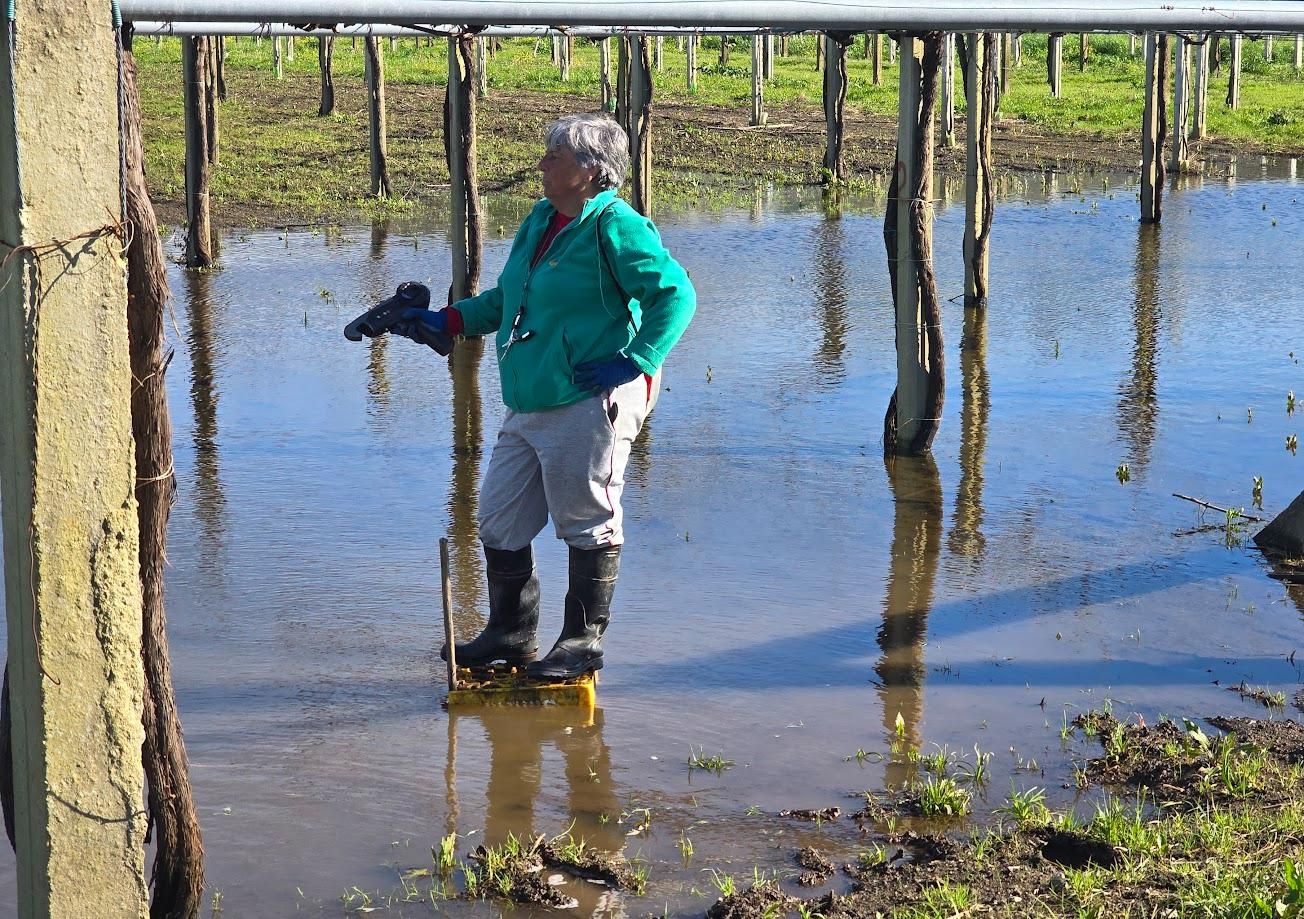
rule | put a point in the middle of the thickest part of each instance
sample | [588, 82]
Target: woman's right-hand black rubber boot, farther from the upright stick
[589, 609]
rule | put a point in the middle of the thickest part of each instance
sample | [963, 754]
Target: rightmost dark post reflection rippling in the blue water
[1139, 410]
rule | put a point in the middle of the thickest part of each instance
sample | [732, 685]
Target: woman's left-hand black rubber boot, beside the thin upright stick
[511, 634]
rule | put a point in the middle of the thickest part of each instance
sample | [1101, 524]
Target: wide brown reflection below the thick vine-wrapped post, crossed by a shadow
[916, 543]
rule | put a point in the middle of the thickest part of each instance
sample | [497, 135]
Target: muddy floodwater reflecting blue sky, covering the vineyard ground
[788, 596]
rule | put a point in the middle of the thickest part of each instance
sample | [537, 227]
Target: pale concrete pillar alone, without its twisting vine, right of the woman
[912, 372]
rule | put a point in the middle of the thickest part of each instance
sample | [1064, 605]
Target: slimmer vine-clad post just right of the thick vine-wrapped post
[980, 183]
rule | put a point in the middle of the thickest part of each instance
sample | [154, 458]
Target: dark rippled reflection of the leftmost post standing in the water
[209, 499]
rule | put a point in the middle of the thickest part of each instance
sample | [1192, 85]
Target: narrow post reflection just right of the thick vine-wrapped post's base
[967, 538]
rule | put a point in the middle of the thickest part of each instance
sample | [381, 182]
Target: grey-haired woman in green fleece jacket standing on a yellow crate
[586, 311]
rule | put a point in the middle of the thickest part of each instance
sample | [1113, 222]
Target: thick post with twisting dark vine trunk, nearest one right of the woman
[915, 413]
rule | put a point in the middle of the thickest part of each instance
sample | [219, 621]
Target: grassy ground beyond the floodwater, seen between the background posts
[280, 158]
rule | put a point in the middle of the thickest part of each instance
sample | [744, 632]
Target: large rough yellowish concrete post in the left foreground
[67, 473]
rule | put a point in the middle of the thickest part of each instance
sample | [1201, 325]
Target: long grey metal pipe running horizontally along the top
[801, 15]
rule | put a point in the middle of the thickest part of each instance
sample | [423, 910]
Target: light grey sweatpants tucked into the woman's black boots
[568, 463]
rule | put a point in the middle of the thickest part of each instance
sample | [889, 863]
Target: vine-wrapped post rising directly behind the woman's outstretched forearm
[465, 224]
